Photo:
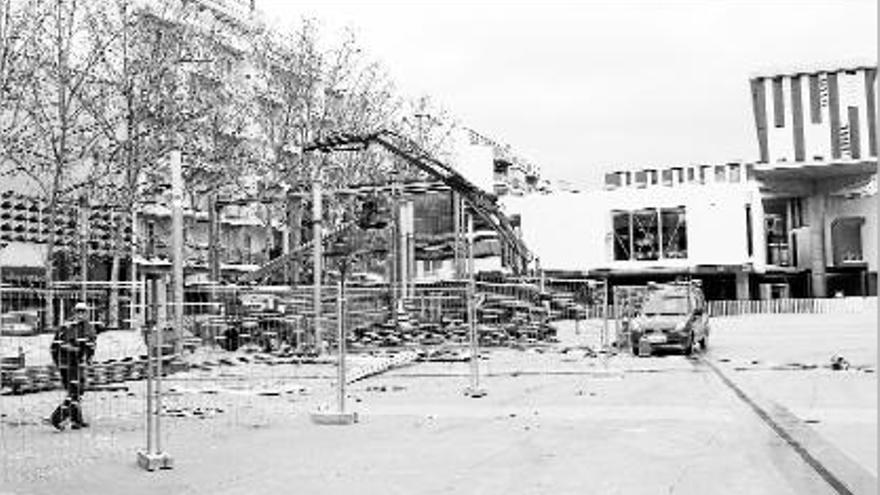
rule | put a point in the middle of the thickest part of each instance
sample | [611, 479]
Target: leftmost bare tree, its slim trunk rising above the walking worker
[59, 147]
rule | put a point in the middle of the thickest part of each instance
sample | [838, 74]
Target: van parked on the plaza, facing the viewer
[672, 315]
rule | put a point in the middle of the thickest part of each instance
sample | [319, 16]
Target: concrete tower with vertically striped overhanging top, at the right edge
[817, 142]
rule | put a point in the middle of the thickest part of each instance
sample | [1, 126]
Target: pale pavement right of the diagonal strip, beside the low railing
[786, 359]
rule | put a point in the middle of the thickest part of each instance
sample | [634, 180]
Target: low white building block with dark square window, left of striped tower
[655, 224]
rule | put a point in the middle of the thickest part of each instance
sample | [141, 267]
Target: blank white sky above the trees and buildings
[580, 88]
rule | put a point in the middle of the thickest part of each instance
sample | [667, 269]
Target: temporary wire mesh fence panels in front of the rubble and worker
[247, 357]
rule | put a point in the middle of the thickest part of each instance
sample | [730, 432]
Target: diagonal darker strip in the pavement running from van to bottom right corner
[843, 474]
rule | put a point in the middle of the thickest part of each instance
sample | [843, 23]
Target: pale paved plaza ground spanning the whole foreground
[553, 421]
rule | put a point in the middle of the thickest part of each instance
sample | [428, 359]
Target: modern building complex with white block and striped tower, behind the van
[801, 221]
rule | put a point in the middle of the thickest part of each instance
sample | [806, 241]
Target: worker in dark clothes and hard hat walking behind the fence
[72, 348]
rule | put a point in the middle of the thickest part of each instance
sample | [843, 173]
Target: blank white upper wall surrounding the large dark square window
[573, 231]
